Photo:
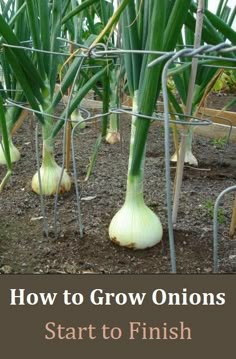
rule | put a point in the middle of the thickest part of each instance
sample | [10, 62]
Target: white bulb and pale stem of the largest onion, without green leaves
[135, 219]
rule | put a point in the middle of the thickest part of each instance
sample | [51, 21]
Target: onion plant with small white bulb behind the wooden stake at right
[213, 32]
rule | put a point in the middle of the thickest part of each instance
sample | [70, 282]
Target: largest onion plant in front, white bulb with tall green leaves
[146, 25]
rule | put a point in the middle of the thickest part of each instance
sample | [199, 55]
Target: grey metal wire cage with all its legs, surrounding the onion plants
[100, 51]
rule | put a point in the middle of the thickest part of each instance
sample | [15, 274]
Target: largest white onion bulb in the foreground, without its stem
[135, 225]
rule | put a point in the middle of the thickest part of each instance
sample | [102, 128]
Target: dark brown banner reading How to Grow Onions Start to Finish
[94, 316]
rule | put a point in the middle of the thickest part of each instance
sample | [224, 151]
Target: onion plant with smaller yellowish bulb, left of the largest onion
[37, 75]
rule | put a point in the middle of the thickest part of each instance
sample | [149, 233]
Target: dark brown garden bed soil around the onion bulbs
[25, 249]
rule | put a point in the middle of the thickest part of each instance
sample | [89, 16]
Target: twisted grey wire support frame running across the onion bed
[101, 51]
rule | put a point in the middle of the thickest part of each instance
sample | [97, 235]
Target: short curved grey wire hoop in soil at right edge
[216, 225]
